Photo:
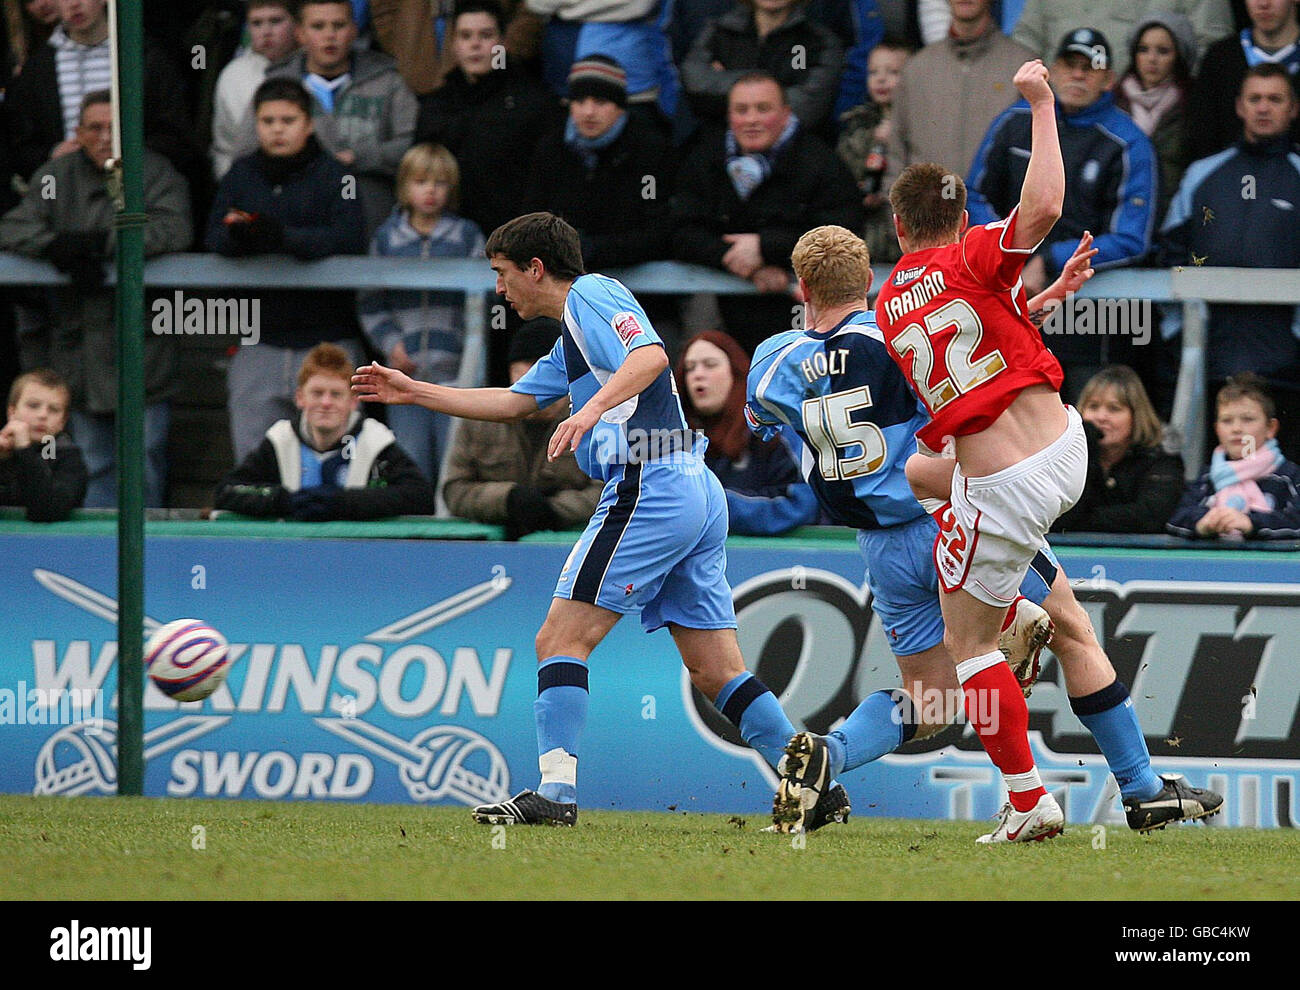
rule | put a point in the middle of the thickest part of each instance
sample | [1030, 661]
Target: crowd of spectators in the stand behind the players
[713, 132]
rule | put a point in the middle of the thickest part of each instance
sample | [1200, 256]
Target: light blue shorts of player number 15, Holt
[905, 585]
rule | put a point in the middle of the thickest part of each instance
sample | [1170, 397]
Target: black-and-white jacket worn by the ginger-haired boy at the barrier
[395, 485]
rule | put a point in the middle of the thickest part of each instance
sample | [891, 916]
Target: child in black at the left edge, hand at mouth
[41, 468]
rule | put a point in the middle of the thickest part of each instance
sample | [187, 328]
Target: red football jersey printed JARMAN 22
[956, 322]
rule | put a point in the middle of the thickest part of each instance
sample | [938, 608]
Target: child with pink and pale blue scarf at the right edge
[1250, 490]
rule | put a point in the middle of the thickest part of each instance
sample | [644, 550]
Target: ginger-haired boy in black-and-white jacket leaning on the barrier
[333, 464]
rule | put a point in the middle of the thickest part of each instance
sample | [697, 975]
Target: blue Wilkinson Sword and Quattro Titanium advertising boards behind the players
[405, 672]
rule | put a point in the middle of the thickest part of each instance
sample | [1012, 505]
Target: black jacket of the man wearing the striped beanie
[622, 219]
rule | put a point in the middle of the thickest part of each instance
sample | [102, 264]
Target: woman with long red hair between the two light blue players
[766, 496]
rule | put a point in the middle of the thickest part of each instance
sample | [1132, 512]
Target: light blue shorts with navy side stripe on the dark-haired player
[657, 545]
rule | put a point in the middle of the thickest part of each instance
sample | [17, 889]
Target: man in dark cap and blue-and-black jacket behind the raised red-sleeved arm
[1111, 189]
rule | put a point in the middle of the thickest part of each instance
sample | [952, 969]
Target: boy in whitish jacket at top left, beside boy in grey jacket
[271, 34]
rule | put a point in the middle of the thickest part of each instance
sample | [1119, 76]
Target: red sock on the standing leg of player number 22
[995, 706]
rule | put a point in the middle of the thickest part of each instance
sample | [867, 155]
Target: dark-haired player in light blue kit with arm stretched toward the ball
[656, 542]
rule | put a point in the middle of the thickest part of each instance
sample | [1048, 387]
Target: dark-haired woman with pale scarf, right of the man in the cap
[1155, 89]
